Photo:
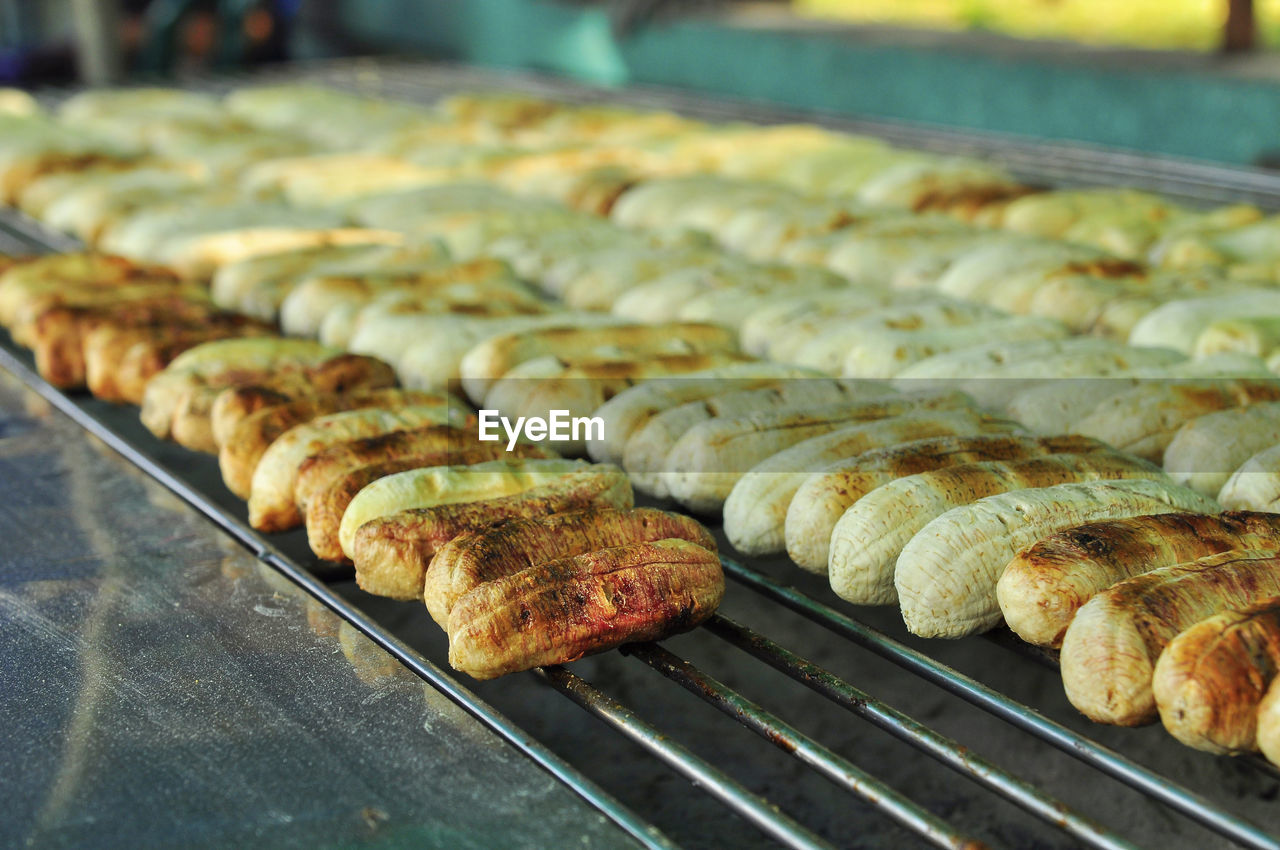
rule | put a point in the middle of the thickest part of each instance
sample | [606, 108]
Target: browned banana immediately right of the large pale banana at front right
[1045, 584]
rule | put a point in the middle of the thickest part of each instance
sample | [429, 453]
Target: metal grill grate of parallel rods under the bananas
[1044, 163]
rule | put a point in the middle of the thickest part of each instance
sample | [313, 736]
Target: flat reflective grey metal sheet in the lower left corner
[163, 688]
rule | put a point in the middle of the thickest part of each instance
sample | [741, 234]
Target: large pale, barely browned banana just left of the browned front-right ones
[947, 574]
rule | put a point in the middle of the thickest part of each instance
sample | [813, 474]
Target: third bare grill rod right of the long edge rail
[906, 729]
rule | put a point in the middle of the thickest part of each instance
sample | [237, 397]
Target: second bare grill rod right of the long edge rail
[796, 743]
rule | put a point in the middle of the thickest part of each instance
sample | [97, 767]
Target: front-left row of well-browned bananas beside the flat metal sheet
[382, 477]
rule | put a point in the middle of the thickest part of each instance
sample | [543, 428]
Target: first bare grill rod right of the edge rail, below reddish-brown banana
[760, 812]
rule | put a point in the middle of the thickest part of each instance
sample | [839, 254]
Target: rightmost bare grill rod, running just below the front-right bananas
[1105, 760]
